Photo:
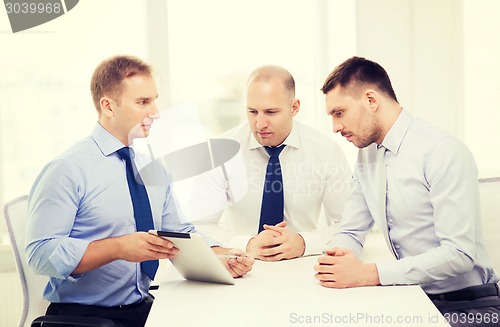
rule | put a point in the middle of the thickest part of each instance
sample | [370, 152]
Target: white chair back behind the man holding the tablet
[16, 214]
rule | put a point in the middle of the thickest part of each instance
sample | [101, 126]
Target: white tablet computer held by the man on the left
[196, 260]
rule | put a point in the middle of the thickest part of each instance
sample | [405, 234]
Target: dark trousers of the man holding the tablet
[133, 315]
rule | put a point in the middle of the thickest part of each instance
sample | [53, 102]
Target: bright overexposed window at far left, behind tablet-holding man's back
[45, 101]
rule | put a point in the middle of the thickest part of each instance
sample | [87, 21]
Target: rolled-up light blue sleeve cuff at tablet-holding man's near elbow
[66, 257]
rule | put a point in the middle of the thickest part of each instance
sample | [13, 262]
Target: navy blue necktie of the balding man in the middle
[272, 210]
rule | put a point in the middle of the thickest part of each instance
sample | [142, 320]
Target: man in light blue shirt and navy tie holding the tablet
[81, 228]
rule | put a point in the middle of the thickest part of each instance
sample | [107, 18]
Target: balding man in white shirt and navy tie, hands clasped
[314, 170]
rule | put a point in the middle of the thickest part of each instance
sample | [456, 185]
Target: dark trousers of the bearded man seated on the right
[472, 306]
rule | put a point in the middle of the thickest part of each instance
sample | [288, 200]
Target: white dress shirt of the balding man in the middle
[315, 174]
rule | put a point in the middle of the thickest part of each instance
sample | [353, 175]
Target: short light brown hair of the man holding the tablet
[109, 74]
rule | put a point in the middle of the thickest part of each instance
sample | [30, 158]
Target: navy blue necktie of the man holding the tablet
[142, 209]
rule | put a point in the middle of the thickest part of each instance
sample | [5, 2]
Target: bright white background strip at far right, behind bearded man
[482, 82]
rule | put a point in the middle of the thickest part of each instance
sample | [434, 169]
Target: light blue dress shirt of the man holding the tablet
[83, 196]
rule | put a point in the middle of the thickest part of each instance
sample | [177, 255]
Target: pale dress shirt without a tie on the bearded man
[432, 222]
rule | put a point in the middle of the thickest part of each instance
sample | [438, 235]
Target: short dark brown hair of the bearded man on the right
[358, 71]
